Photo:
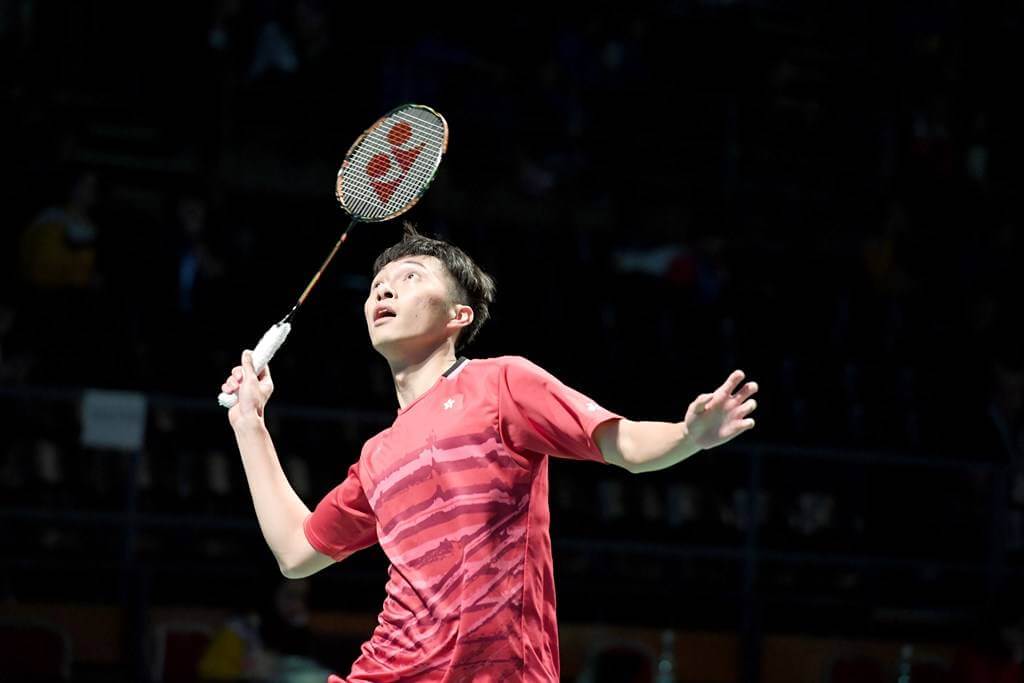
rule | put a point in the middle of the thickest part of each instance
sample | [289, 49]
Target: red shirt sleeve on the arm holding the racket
[344, 522]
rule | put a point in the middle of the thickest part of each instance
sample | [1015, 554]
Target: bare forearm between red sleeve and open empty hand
[646, 447]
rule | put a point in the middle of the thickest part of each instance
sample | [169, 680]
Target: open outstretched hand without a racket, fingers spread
[716, 418]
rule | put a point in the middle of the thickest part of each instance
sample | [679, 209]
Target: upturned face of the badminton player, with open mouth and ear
[416, 289]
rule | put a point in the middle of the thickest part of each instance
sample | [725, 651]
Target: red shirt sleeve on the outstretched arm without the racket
[538, 413]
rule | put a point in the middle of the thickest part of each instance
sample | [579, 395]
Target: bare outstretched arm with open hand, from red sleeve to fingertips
[712, 419]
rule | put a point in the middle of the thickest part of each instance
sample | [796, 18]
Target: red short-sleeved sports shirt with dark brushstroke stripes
[456, 492]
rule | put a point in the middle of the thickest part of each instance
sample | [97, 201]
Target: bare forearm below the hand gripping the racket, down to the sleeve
[279, 509]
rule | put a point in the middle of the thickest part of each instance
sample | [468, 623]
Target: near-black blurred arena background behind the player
[825, 195]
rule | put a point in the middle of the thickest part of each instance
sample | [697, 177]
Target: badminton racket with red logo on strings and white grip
[385, 175]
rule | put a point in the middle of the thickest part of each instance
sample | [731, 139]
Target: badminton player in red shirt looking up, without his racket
[456, 490]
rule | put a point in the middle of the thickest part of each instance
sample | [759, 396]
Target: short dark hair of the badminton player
[473, 286]
